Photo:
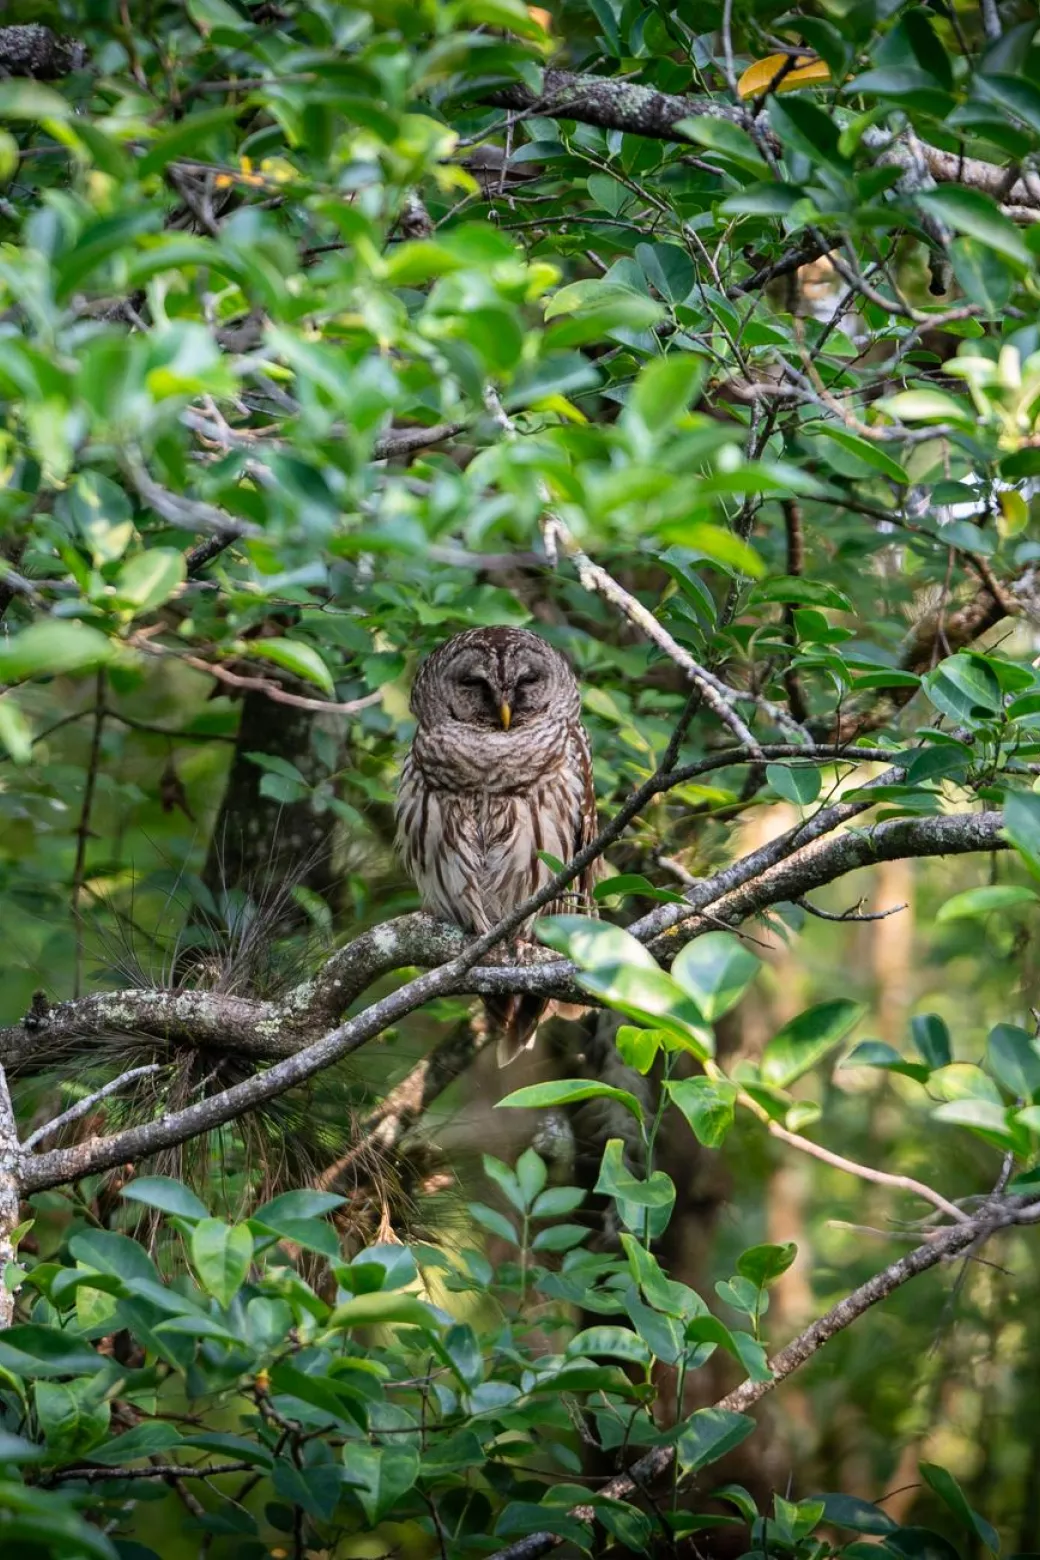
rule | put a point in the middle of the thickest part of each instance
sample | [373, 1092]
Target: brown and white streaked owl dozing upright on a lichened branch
[500, 771]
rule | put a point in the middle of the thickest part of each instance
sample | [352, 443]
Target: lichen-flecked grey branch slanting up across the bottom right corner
[943, 1247]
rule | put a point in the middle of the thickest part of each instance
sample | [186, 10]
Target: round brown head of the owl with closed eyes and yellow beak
[497, 679]
